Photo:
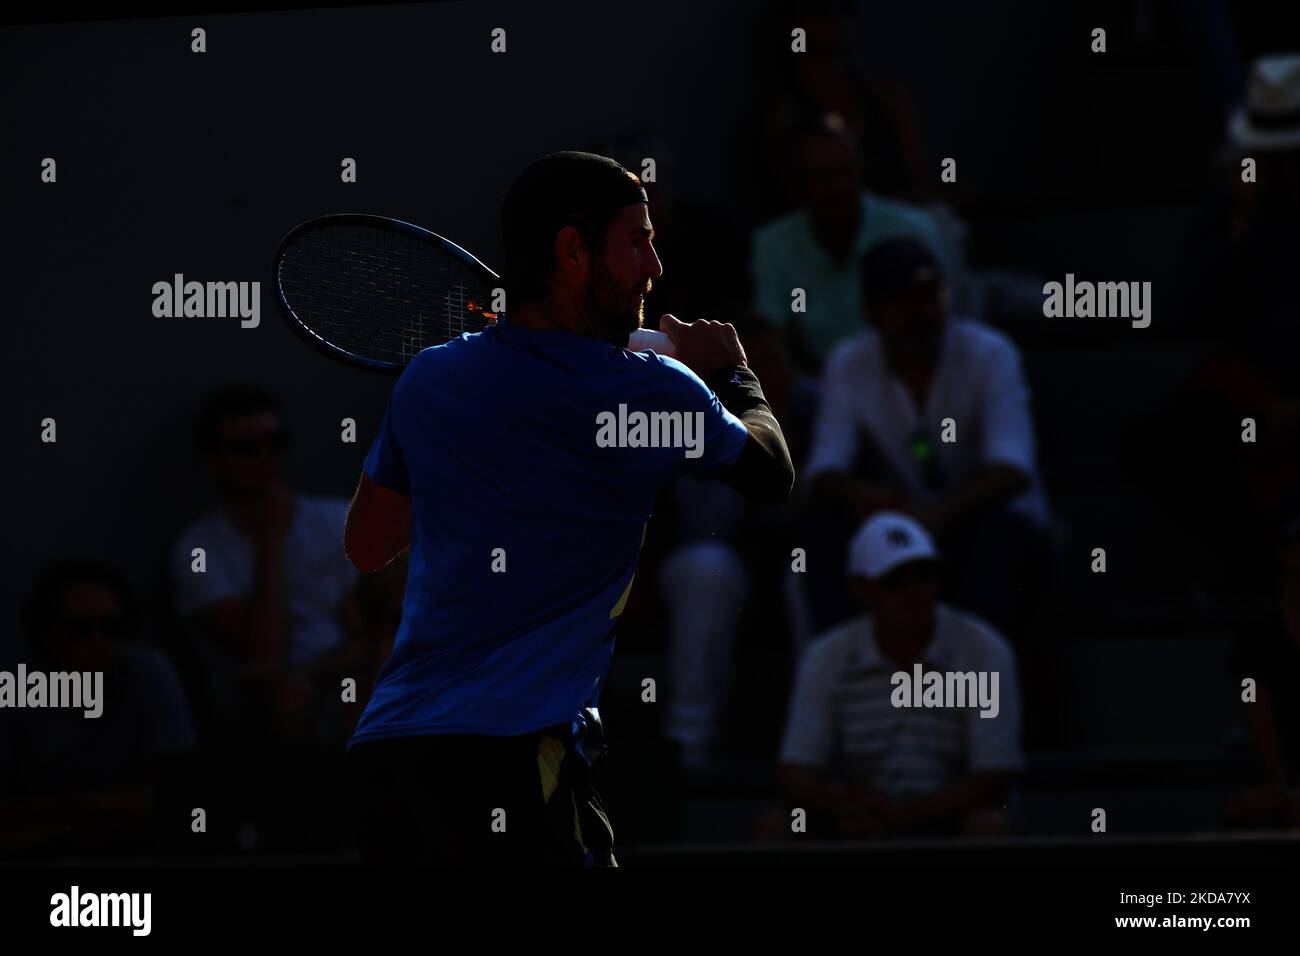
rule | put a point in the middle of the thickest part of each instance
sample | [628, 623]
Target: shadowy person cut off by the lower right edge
[1273, 720]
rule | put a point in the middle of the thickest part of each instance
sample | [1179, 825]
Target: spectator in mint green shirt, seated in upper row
[820, 246]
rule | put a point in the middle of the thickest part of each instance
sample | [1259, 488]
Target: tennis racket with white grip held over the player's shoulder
[375, 292]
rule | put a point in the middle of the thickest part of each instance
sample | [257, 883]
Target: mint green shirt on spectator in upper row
[787, 257]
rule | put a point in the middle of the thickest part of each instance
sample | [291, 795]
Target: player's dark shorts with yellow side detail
[456, 801]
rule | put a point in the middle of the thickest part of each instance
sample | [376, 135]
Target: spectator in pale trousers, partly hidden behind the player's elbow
[729, 552]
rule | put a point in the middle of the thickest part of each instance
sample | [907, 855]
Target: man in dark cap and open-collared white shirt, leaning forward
[881, 439]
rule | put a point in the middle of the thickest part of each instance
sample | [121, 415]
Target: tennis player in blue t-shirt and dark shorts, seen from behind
[525, 529]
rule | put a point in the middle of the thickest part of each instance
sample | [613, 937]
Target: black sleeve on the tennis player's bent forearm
[764, 473]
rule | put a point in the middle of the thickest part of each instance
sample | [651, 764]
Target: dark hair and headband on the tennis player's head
[578, 189]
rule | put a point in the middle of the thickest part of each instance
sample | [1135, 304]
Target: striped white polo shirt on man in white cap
[844, 723]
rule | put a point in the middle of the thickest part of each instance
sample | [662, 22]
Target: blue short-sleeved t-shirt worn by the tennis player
[532, 465]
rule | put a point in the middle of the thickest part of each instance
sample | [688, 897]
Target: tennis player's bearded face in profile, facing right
[622, 276]
